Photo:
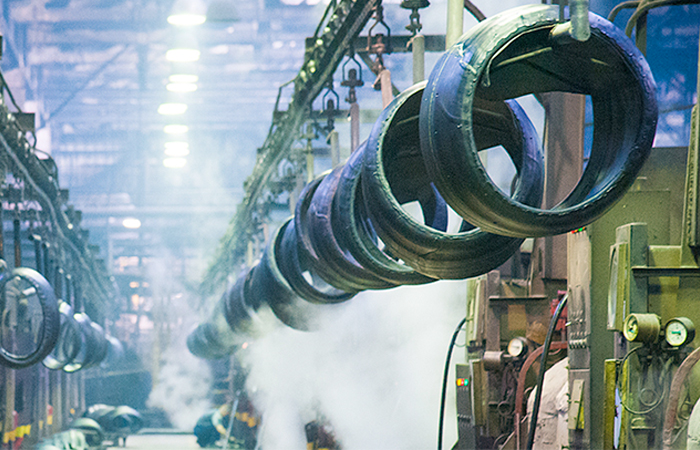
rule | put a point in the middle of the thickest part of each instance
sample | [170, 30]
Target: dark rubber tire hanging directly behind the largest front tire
[393, 149]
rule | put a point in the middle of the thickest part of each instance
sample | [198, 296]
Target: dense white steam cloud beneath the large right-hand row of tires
[374, 371]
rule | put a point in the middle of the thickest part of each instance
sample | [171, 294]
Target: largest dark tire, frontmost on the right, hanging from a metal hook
[516, 53]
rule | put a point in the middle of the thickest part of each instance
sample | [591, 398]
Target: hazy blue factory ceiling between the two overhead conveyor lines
[96, 72]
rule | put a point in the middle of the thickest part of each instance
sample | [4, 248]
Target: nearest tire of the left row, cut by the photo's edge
[28, 287]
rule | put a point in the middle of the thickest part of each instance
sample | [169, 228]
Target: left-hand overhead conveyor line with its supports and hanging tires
[54, 292]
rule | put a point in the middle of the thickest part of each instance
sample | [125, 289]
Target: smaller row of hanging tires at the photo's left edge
[37, 327]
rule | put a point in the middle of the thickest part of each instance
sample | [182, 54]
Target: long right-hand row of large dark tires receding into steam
[425, 148]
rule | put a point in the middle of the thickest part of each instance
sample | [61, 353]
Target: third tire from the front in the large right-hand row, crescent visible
[357, 235]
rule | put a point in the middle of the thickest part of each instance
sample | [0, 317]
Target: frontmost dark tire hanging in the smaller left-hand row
[51, 319]
